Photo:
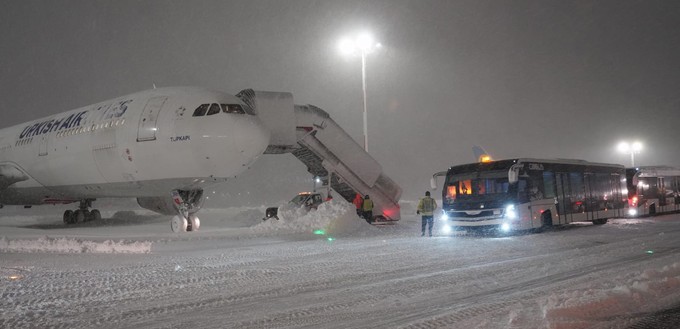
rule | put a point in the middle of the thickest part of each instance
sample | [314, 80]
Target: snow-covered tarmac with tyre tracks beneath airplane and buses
[129, 271]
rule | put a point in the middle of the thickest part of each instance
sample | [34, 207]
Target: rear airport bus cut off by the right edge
[653, 190]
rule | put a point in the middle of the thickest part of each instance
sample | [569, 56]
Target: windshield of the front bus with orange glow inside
[492, 185]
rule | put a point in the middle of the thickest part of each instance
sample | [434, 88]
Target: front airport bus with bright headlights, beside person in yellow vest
[523, 194]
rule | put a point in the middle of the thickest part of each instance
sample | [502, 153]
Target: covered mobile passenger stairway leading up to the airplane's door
[310, 134]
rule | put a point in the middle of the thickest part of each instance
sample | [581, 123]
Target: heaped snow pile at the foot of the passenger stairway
[333, 217]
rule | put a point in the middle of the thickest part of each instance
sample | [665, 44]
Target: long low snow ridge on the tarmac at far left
[64, 245]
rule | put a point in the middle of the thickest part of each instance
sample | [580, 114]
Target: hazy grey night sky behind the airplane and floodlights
[556, 79]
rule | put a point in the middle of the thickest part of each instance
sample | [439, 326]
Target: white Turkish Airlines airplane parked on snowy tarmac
[162, 146]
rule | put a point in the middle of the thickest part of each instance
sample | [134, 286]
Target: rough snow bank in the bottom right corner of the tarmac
[626, 295]
